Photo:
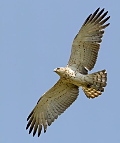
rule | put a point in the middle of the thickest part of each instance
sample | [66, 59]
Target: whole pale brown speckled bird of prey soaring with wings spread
[83, 57]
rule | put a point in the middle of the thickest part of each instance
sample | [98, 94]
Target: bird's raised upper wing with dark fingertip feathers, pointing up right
[86, 45]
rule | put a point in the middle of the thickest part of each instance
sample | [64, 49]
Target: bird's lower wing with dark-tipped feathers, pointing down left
[54, 102]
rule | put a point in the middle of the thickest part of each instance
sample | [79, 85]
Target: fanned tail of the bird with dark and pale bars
[96, 83]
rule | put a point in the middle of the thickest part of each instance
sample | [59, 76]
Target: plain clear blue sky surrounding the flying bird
[35, 38]
